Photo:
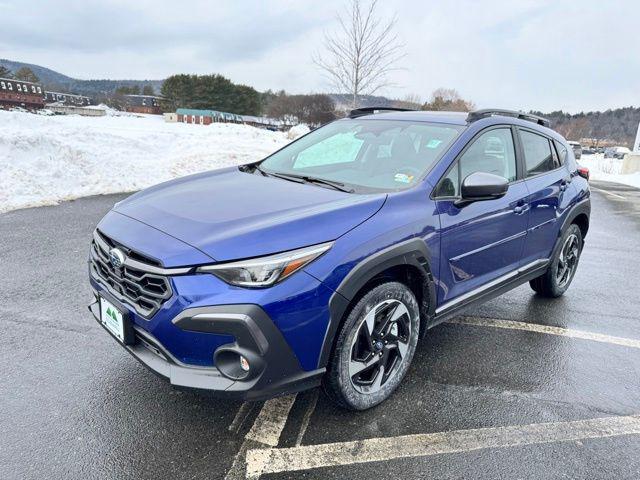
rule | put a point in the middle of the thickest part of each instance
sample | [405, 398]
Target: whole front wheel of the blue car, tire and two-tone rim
[381, 329]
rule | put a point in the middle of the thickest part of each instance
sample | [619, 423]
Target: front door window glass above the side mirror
[492, 152]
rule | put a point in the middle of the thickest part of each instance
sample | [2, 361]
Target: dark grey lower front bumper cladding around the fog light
[274, 369]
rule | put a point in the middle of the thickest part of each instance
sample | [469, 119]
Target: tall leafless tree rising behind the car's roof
[360, 56]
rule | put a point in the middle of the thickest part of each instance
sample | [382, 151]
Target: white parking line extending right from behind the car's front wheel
[532, 327]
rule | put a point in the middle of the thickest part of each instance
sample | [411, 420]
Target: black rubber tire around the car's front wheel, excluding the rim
[342, 355]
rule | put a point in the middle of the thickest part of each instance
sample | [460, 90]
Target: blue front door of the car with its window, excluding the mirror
[483, 240]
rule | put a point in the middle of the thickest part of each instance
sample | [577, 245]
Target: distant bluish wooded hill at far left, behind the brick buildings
[97, 89]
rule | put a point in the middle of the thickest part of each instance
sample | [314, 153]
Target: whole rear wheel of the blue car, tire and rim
[557, 278]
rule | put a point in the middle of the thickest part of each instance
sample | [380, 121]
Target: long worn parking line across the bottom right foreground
[421, 445]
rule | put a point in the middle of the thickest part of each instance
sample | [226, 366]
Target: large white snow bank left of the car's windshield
[44, 160]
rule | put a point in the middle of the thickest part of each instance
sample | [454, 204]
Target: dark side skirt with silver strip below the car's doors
[489, 291]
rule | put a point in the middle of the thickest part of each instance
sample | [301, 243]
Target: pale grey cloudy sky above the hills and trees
[522, 54]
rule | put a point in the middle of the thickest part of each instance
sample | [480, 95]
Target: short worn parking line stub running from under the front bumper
[264, 433]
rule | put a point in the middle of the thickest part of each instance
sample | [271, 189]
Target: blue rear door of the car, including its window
[548, 182]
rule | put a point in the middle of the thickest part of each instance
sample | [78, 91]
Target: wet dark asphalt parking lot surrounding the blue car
[521, 387]
